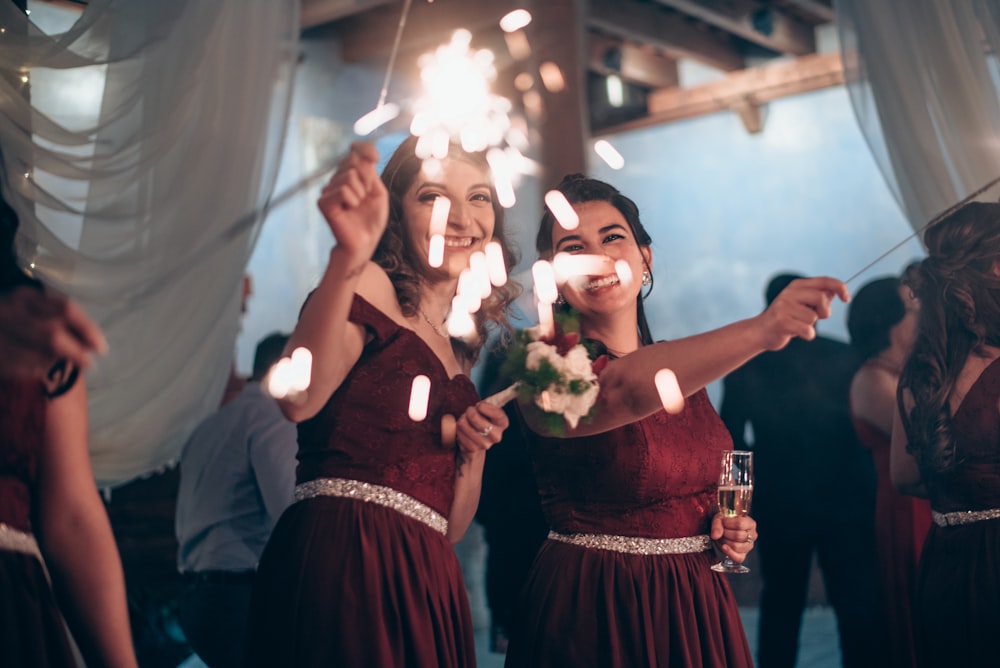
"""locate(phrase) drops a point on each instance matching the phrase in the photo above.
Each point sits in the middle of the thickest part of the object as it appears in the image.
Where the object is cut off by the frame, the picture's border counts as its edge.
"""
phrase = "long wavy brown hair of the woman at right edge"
(959, 293)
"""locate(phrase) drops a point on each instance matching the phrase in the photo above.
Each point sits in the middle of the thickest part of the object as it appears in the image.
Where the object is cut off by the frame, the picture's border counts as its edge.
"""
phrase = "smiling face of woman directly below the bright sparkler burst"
(471, 218)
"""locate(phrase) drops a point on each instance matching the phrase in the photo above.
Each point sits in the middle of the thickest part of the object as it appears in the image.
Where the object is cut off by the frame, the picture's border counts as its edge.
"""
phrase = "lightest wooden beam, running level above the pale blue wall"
(741, 91)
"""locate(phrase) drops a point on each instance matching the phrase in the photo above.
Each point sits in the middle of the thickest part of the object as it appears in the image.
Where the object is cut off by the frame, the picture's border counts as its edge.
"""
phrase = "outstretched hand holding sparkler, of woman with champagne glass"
(797, 309)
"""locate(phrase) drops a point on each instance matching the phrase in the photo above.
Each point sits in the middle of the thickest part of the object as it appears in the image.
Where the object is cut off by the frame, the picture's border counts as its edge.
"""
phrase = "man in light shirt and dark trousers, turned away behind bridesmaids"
(237, 475)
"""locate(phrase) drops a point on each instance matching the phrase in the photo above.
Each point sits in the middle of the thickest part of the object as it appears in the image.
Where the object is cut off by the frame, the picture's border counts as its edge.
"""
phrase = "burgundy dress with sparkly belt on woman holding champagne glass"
(590, 606)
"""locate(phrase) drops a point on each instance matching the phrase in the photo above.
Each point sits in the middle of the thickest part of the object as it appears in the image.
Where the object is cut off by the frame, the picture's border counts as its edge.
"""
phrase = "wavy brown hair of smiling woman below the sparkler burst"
(400, 261)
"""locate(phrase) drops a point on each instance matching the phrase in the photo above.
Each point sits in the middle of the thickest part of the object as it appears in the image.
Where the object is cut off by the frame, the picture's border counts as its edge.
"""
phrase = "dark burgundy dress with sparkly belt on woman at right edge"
(957, 601)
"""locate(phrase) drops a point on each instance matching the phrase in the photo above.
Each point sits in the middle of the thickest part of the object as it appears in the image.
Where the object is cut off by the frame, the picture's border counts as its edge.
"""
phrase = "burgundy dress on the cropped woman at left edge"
(32, 632)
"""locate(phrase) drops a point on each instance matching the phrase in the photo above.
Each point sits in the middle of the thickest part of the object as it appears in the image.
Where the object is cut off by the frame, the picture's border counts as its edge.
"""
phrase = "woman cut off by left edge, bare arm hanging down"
(50, 507)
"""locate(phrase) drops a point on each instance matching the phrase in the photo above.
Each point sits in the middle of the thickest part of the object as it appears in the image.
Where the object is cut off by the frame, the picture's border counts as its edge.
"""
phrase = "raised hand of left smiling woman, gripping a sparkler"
(355, 202)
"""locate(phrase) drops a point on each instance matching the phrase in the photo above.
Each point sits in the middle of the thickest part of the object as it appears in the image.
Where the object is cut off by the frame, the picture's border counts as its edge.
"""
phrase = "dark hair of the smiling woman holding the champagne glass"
(579, 189)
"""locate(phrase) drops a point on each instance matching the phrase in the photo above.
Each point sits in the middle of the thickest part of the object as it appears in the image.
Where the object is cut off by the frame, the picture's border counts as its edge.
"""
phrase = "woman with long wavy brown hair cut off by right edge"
(946, 437)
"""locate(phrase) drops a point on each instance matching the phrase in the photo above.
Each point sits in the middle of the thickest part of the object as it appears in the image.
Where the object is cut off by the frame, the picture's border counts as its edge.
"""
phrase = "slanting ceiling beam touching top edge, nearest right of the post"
(667, 31)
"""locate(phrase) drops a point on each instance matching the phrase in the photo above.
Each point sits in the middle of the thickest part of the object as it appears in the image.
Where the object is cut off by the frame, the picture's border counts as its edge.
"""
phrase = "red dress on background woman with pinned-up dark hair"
(901, 525)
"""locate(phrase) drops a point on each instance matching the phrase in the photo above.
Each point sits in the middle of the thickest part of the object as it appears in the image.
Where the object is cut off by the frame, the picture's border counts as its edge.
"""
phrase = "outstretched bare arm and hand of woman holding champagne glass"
(628, 389)
